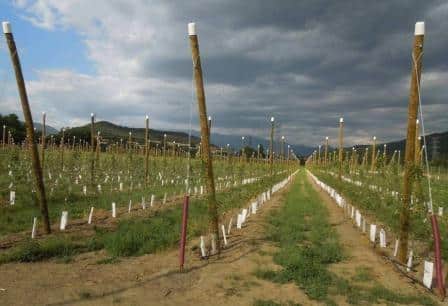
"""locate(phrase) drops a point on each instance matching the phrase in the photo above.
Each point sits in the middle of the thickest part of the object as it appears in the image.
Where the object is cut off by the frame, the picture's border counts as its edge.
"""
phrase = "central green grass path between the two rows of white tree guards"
(308, 245)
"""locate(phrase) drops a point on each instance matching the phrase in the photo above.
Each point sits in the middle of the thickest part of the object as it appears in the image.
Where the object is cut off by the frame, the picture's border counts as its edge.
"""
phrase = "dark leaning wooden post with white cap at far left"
(37, 170)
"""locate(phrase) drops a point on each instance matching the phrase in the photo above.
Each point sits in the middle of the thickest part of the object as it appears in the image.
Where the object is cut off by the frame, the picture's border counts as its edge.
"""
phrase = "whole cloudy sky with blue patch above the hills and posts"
(305, 62)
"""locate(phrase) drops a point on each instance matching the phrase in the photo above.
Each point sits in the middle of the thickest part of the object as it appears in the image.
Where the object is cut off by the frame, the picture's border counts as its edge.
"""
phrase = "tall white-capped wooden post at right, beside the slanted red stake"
(417, 54)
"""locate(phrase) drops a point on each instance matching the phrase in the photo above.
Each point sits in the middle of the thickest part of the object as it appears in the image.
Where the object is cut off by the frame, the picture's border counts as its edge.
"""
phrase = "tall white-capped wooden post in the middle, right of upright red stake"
(205, 154)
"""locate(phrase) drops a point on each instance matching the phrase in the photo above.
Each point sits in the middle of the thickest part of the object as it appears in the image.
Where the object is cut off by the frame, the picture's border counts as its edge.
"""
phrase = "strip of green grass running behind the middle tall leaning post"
(137, 236)
